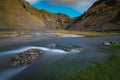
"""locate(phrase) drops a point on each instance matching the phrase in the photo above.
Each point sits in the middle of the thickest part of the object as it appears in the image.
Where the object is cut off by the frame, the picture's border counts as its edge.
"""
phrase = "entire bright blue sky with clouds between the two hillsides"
(72, 8)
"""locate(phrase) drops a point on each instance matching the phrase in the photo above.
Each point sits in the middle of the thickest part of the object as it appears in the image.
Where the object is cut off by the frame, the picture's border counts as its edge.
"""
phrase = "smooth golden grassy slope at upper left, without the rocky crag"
(14, 15)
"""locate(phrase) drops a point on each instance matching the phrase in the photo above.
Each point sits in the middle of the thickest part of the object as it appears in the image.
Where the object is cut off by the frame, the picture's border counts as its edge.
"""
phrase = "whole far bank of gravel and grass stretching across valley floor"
(34, 36)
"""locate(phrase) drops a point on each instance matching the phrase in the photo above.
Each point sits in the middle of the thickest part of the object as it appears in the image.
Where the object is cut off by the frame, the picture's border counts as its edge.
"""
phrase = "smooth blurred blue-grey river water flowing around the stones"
(54, 62)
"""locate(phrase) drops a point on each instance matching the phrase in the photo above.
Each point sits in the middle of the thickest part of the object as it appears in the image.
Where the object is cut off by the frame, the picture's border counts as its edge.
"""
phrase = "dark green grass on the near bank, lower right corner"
(109, 70)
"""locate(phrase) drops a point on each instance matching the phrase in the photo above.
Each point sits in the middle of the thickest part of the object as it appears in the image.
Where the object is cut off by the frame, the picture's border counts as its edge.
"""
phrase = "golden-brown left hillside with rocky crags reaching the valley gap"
(19, 15)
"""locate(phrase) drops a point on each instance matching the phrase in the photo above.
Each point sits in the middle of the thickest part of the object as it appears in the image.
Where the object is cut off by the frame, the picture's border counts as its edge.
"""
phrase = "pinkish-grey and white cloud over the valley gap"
(78, 5)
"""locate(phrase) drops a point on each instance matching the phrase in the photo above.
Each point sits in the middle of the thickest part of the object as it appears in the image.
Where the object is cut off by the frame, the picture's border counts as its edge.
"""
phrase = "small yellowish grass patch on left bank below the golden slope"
(7, 34)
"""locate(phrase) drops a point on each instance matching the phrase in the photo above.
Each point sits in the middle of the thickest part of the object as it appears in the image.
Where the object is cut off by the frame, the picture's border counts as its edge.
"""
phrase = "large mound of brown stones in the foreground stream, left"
(26, 57)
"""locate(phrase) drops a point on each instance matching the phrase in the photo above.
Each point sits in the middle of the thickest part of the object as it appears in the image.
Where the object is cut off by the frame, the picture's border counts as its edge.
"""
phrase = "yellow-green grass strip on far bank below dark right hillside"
(89, 34)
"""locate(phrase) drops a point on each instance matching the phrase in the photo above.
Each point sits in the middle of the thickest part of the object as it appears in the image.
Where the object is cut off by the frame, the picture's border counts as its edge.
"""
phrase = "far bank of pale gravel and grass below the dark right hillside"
(66, 33)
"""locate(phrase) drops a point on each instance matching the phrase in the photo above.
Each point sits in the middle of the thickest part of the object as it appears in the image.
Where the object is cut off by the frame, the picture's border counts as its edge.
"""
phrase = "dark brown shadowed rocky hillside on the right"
(104, 15)
